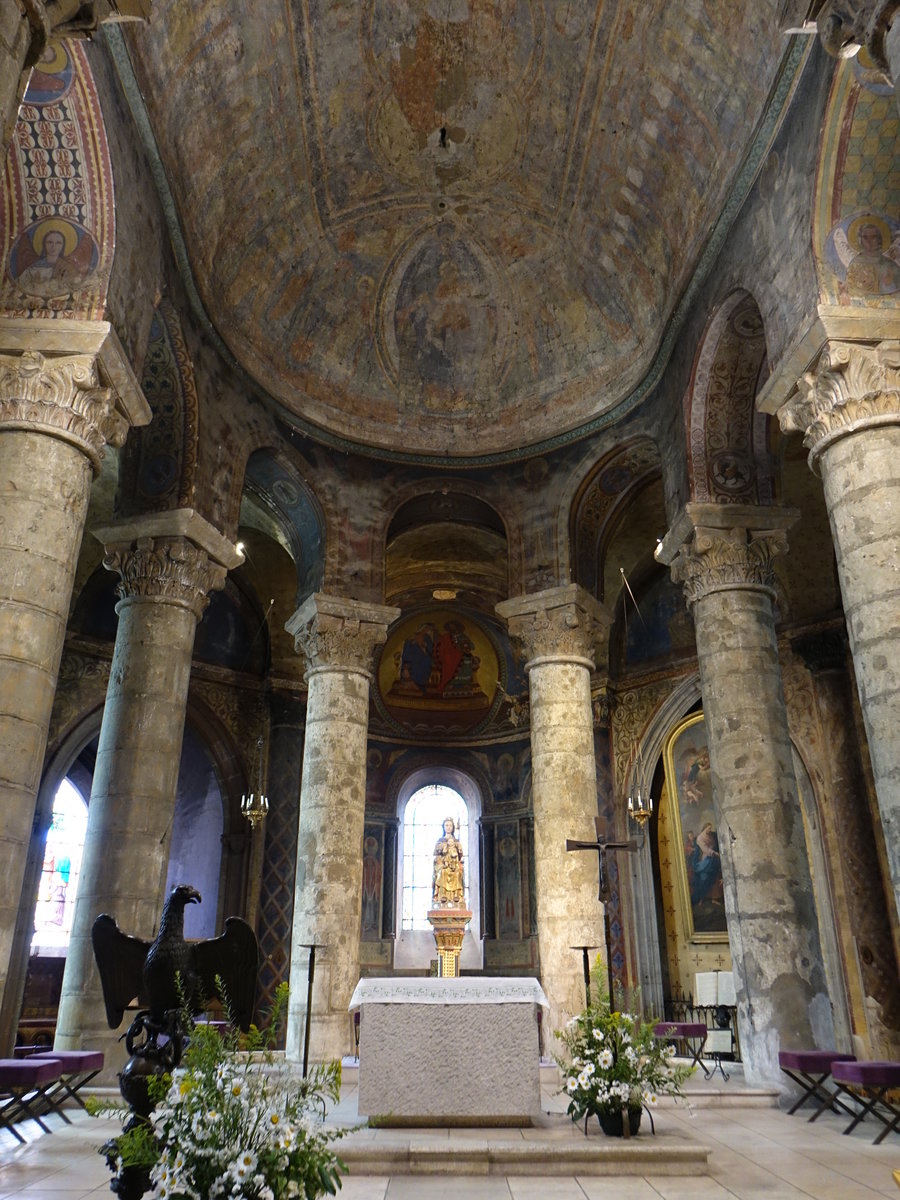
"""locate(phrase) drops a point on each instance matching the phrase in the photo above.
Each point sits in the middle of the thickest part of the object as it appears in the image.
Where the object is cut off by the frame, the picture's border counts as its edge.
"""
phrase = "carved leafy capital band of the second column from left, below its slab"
(167, 569)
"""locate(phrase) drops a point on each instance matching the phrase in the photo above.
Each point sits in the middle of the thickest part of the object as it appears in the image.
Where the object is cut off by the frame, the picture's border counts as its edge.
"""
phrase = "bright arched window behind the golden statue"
(423, 826)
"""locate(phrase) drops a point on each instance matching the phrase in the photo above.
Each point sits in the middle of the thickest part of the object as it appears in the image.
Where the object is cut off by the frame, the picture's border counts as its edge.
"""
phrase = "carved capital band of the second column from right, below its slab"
(728, 560)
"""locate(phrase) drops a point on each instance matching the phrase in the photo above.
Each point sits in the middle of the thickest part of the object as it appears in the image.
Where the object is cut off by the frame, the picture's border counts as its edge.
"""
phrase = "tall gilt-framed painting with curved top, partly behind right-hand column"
(698, 865)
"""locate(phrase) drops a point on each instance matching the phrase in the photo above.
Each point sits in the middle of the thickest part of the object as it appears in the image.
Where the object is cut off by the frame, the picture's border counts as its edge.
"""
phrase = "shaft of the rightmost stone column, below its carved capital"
(861, 475)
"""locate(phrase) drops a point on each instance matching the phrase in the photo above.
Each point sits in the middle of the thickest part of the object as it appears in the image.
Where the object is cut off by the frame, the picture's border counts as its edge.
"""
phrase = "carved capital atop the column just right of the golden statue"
(561, 625)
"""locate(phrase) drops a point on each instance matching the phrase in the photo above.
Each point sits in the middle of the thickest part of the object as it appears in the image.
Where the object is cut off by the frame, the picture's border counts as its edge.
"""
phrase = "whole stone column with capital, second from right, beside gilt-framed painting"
(724, 556)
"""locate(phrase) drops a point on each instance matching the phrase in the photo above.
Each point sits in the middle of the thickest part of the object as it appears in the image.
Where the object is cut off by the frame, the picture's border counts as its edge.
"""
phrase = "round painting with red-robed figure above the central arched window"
(440, 674)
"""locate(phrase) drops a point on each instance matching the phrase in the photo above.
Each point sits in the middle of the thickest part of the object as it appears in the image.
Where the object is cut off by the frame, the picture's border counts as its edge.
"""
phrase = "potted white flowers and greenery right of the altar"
(614, 1067)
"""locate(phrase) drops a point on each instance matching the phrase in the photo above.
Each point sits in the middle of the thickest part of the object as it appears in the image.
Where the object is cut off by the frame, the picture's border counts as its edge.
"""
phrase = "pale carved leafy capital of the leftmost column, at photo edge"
(63, 398)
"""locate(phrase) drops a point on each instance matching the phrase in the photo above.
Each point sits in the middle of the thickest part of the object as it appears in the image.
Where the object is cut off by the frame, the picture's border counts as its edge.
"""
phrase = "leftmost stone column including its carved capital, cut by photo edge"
(57, 416)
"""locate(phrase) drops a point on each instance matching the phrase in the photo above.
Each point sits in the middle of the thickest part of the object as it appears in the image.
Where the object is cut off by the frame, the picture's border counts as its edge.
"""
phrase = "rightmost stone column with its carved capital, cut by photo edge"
(849, 410)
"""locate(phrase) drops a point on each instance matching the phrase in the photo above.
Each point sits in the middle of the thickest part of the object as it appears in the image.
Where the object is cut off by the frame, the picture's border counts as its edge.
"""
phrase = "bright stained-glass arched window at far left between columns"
(59, 874)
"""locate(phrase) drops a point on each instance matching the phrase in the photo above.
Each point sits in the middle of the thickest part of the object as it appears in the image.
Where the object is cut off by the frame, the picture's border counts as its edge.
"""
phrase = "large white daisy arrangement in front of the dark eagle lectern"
(236, 1125)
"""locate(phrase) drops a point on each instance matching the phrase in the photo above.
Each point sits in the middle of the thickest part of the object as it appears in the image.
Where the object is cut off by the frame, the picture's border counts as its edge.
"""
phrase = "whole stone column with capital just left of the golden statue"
(338, 639)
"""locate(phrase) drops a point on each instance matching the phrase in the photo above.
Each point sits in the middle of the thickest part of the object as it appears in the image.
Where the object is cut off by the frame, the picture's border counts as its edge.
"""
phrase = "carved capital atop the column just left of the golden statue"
(340, 635)
